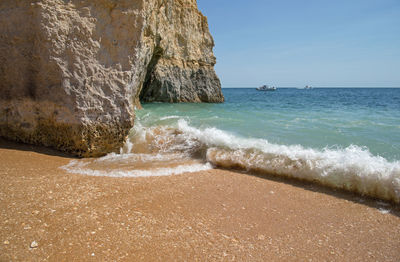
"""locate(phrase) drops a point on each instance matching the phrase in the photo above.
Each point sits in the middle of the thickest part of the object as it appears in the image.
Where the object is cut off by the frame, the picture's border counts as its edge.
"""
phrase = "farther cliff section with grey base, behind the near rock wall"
(182, 64)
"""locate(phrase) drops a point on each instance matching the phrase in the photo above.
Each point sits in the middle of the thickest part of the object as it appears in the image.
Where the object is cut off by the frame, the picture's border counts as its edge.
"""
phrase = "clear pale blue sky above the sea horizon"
(299, 42)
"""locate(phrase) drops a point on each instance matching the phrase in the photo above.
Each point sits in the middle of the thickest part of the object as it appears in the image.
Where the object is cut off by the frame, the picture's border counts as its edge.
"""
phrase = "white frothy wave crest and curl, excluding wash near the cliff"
(353, 168)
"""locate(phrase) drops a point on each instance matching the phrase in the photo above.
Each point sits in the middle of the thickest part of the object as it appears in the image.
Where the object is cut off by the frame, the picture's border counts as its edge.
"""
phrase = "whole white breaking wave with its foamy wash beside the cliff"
(174, 140)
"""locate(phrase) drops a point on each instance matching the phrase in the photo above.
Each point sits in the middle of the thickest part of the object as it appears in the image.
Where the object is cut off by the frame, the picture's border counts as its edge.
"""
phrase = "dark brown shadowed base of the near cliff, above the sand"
(90, 140)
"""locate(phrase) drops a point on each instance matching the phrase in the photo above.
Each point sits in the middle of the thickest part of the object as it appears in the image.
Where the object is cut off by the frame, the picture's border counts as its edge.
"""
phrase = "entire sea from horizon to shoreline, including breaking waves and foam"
(345, 138)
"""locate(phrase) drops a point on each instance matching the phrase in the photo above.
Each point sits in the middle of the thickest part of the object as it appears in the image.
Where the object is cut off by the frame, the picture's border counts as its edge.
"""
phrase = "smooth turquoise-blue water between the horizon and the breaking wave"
(317, 118)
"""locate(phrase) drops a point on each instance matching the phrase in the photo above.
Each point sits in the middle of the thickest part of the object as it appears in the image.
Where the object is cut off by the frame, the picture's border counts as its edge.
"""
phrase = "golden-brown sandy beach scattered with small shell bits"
(206, 216)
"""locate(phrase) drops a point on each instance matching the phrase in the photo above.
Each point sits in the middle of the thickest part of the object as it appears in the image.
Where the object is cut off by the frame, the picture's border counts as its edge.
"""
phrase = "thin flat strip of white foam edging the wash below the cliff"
(79, 167)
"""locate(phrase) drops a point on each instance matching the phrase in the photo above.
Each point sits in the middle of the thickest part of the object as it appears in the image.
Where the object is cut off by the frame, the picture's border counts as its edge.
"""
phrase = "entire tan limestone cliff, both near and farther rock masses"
(72, 71)
